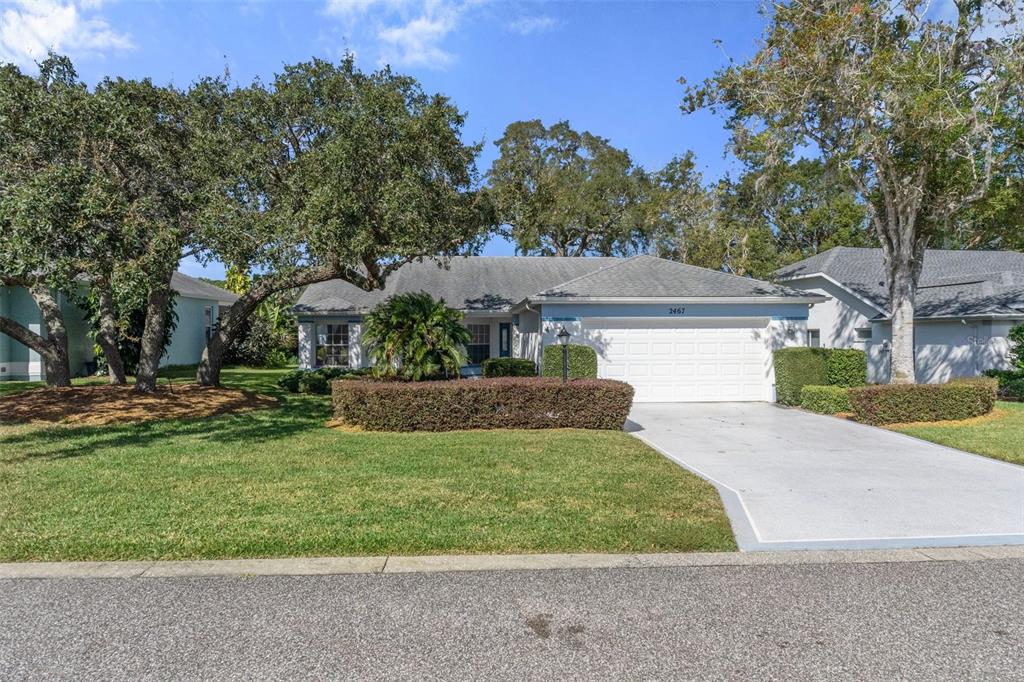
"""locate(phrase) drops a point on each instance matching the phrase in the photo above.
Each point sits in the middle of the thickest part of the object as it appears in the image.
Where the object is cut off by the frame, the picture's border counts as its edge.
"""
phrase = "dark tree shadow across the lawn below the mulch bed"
(293, 416)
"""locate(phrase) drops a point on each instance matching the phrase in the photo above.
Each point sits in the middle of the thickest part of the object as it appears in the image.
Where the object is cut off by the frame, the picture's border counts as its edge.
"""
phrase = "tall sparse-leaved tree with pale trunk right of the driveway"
(909, 106)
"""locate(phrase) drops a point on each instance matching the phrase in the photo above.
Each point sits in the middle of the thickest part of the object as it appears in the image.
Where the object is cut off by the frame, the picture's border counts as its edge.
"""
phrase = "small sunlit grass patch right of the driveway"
(1000, 437)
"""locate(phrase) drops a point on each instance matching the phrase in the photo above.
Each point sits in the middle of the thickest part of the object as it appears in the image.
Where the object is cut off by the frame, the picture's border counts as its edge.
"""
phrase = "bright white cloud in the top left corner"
(30, 28)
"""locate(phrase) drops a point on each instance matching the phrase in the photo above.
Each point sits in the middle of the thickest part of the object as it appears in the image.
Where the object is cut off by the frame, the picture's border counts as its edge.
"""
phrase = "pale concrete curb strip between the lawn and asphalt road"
(456, 564)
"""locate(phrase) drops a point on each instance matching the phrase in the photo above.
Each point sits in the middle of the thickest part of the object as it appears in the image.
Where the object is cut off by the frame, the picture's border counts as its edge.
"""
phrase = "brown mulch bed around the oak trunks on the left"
(97, 406)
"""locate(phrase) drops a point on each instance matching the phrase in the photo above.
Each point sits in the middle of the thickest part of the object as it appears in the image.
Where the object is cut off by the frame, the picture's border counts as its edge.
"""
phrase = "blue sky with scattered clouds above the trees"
(610, 68)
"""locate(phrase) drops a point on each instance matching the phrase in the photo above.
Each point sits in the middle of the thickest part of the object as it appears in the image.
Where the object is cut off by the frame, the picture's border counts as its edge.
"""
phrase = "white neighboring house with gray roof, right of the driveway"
(967, 303)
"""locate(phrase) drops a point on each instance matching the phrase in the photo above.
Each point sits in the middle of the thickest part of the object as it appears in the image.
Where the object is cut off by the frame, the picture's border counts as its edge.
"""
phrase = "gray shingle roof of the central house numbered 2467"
(496, 284)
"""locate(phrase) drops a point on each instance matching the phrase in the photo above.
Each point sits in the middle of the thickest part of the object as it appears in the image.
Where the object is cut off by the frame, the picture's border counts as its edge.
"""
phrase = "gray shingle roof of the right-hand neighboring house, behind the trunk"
(953, 283)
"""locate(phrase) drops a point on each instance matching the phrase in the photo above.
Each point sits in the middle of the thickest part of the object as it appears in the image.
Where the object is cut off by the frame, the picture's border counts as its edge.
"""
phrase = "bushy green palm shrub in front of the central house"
(415, 337)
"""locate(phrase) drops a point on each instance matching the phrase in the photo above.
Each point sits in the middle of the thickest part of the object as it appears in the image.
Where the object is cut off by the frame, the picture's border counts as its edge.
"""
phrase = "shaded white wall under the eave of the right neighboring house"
(945, 349)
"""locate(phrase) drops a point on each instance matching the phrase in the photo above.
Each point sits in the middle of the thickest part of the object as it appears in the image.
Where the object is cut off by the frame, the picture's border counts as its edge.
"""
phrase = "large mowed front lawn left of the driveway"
(278, 483)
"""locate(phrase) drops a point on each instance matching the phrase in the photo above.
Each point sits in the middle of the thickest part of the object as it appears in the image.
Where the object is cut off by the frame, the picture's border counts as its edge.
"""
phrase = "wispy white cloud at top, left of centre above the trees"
(406, 33)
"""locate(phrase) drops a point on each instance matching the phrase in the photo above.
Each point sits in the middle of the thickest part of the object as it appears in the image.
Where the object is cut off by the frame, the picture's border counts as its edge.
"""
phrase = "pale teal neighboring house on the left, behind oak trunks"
(198, 306)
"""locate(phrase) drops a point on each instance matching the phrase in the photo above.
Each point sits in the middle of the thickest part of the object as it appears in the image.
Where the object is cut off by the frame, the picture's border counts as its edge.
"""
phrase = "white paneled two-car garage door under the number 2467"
(685, 361)
